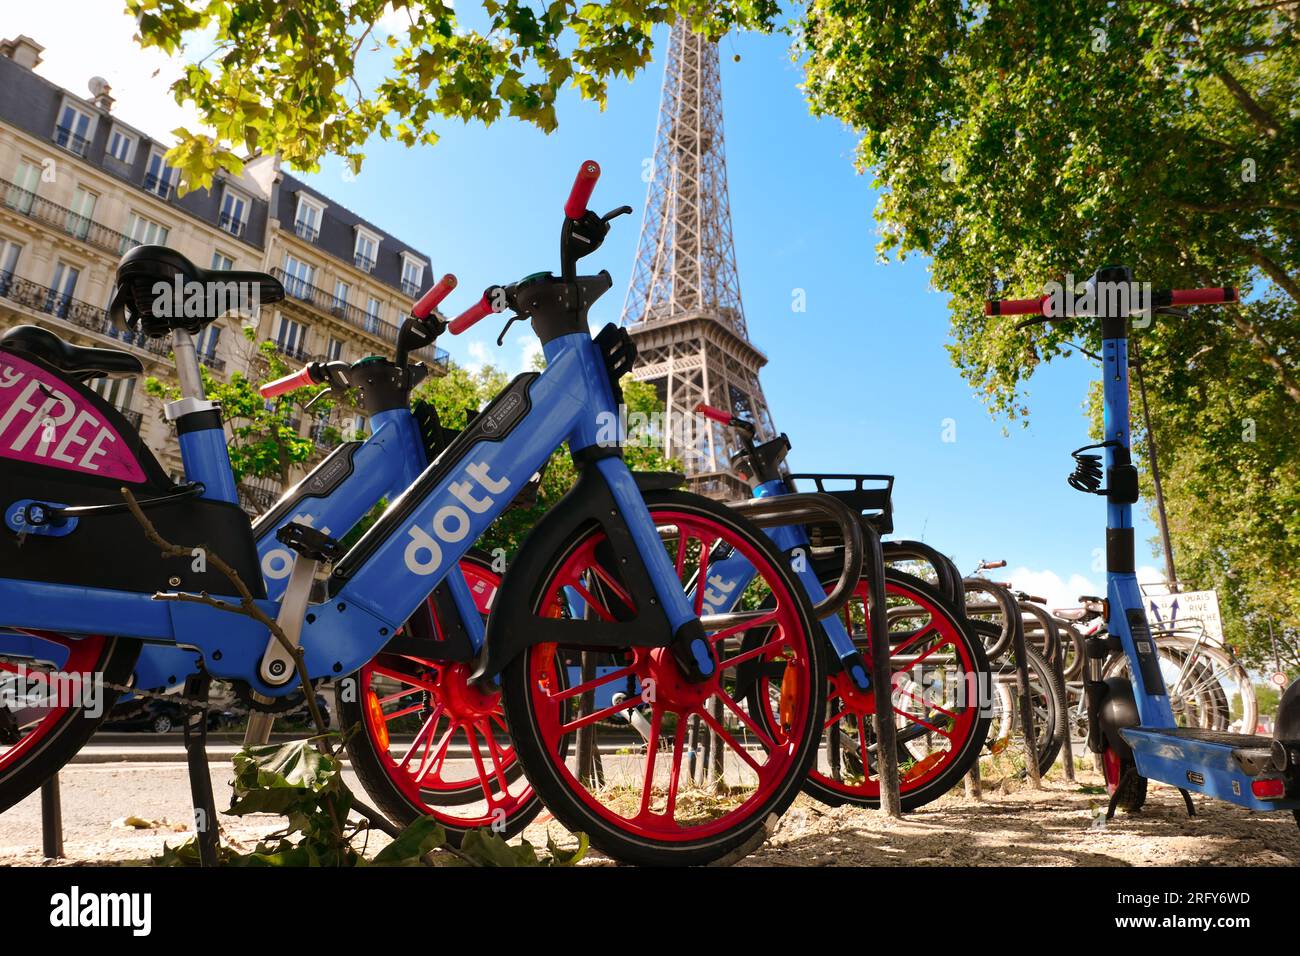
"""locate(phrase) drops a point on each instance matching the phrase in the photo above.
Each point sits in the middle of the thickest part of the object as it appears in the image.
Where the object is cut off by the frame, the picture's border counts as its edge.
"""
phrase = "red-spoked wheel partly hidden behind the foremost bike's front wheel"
(432, 743)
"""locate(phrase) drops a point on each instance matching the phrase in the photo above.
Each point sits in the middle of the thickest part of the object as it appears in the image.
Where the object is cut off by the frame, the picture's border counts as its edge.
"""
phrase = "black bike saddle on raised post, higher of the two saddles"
(159, 291)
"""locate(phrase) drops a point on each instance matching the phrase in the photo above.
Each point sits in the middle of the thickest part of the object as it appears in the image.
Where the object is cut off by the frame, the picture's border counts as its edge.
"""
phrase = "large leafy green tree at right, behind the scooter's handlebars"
(1021, 142)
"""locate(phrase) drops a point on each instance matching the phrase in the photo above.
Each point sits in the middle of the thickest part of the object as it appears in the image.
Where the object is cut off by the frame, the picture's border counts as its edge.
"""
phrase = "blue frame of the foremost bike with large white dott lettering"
(397, 565)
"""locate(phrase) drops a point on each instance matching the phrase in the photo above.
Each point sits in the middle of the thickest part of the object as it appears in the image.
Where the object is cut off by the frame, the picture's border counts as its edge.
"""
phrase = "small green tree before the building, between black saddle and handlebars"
(263, 435)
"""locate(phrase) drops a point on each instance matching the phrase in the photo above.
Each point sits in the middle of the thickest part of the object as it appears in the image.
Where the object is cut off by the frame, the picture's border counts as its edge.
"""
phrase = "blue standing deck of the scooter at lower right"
(1202, 762)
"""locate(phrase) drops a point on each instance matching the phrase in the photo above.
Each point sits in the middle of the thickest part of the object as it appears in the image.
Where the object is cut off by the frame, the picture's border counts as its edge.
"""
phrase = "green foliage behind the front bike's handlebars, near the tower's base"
(462, 391)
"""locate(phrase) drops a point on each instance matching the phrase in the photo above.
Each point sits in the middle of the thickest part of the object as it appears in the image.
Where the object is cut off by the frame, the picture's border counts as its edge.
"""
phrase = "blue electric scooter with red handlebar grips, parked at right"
(1130, 720)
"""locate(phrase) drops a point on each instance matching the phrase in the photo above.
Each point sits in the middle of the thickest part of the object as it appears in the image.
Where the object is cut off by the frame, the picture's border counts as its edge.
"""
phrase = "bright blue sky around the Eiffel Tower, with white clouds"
(861, 382)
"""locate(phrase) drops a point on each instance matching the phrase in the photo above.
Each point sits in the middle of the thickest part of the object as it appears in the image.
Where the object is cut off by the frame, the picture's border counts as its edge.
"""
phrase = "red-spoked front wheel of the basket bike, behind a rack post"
(941, 674)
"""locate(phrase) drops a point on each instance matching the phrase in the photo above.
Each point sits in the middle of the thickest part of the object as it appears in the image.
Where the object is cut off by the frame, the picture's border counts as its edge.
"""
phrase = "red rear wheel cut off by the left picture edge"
(53, 698)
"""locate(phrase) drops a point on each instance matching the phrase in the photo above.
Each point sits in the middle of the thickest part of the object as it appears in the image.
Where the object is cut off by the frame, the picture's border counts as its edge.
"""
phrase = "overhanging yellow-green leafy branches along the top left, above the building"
(288, 79)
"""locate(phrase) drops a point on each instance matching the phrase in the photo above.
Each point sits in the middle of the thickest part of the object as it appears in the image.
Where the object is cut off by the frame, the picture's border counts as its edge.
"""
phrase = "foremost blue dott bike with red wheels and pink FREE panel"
(76, 564)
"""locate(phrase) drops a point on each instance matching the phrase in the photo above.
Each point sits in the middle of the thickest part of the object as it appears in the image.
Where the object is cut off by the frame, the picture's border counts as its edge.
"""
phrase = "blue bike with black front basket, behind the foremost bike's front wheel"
(939, 668)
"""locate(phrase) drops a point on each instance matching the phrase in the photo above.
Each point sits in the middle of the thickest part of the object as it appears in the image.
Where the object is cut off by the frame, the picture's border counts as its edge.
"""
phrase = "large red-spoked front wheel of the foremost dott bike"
(616, 739)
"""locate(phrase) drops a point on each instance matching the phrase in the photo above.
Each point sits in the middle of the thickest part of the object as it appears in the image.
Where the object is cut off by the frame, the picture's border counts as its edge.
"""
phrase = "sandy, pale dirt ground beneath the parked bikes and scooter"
(1059, 827)
